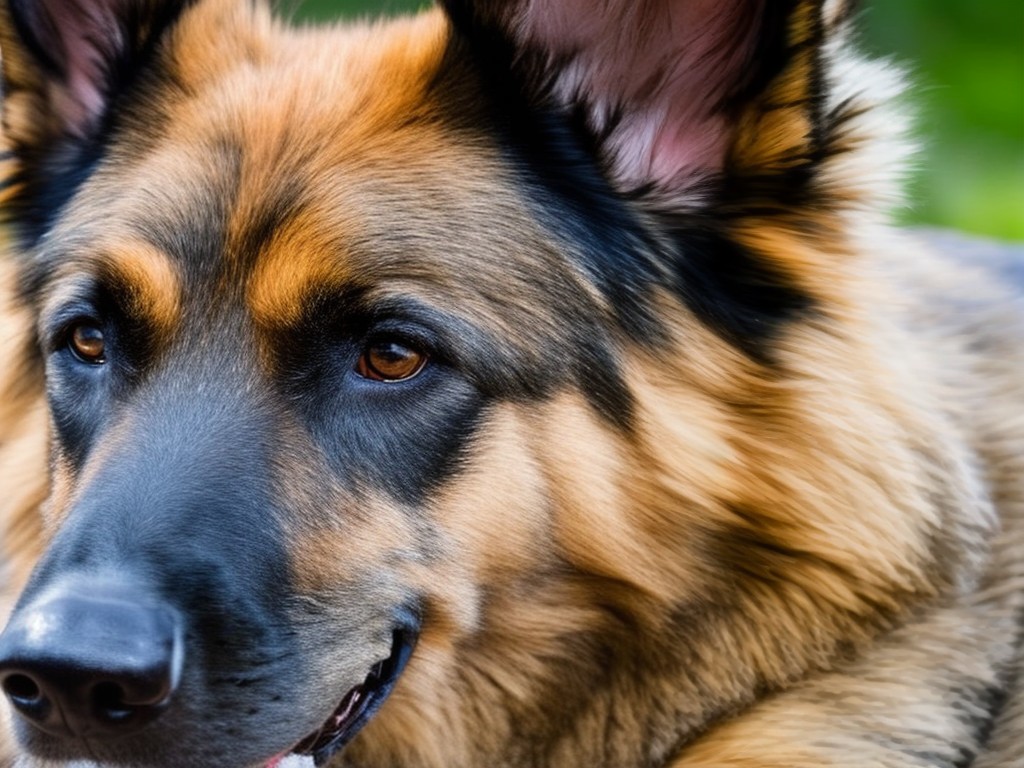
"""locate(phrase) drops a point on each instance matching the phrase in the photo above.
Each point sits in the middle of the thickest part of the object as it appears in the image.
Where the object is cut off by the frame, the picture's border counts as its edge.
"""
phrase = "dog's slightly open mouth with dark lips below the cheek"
(358, 706)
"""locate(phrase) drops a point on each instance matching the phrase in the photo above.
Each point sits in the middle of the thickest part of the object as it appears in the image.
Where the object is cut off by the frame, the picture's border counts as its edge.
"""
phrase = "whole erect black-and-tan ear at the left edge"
(66, 64)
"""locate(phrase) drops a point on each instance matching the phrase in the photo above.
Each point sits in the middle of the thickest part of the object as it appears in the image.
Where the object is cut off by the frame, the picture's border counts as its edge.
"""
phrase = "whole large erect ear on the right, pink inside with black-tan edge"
(672, 94)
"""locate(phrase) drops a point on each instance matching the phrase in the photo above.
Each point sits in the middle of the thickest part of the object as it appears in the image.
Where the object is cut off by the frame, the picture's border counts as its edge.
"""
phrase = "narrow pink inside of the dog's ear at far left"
(89, 37)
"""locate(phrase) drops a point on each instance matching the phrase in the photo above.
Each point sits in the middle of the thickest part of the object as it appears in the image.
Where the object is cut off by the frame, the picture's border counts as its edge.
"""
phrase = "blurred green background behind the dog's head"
(967, 61)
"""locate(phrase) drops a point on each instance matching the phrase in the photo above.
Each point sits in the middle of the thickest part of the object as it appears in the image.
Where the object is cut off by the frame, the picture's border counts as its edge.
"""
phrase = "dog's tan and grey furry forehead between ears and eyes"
(282, 180)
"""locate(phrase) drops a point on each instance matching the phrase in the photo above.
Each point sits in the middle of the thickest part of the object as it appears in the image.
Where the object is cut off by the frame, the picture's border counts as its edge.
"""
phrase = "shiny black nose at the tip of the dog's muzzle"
(89, 663)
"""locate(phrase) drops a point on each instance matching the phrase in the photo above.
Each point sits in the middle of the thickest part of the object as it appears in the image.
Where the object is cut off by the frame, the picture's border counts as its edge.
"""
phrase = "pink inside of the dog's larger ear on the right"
(660, 68)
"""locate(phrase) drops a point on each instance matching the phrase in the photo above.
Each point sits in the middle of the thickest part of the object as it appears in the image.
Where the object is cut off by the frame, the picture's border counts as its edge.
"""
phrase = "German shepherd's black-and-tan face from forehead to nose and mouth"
(285, 358)
